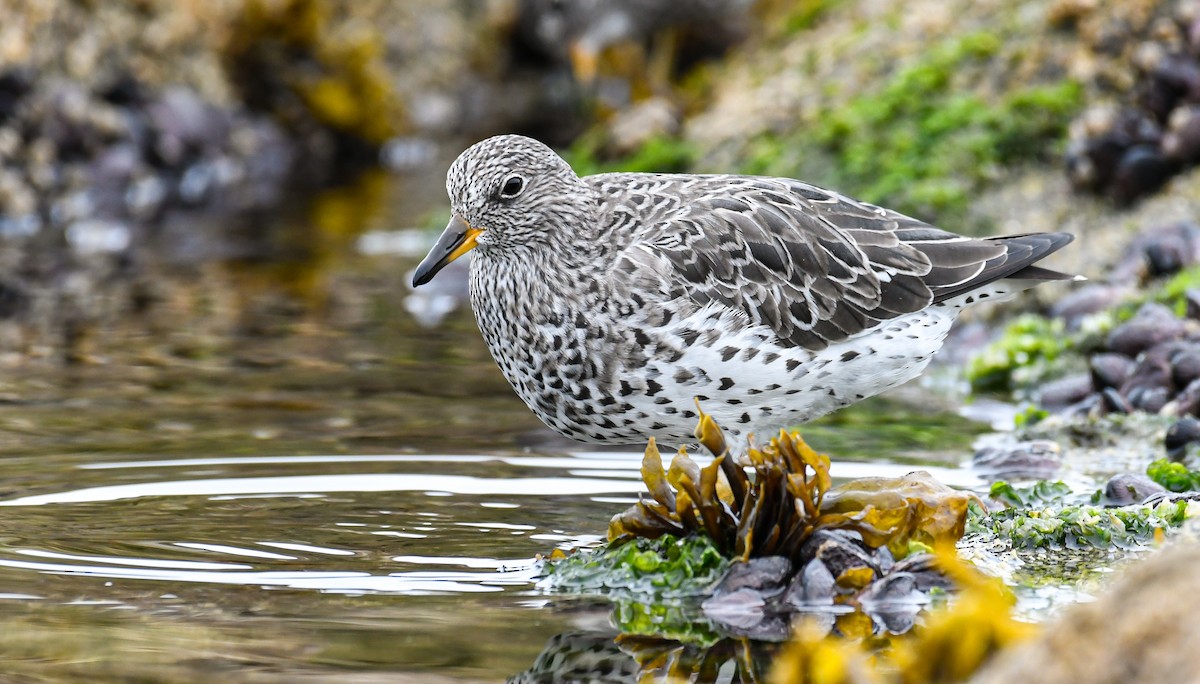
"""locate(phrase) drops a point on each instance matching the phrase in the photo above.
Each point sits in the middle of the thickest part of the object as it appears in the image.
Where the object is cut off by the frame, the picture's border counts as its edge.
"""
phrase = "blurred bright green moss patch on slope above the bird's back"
(921, 143)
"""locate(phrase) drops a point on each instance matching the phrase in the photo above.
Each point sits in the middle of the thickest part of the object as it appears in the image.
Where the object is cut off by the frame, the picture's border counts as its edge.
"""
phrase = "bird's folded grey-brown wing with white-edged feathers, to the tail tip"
(813, 266)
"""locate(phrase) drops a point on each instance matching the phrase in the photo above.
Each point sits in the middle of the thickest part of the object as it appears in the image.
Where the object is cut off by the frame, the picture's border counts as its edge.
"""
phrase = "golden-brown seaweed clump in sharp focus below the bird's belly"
(773, 501)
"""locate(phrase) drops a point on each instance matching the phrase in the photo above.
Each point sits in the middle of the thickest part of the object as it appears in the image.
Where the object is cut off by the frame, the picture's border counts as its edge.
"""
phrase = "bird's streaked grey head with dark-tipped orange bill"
(506, 193)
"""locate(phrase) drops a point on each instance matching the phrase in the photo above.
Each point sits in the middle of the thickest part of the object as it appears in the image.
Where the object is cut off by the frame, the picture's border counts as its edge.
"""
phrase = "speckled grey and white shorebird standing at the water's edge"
(619, 305)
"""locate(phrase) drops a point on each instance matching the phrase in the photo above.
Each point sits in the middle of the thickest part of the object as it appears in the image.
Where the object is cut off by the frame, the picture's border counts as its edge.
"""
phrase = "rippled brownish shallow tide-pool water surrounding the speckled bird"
(281, 475)
